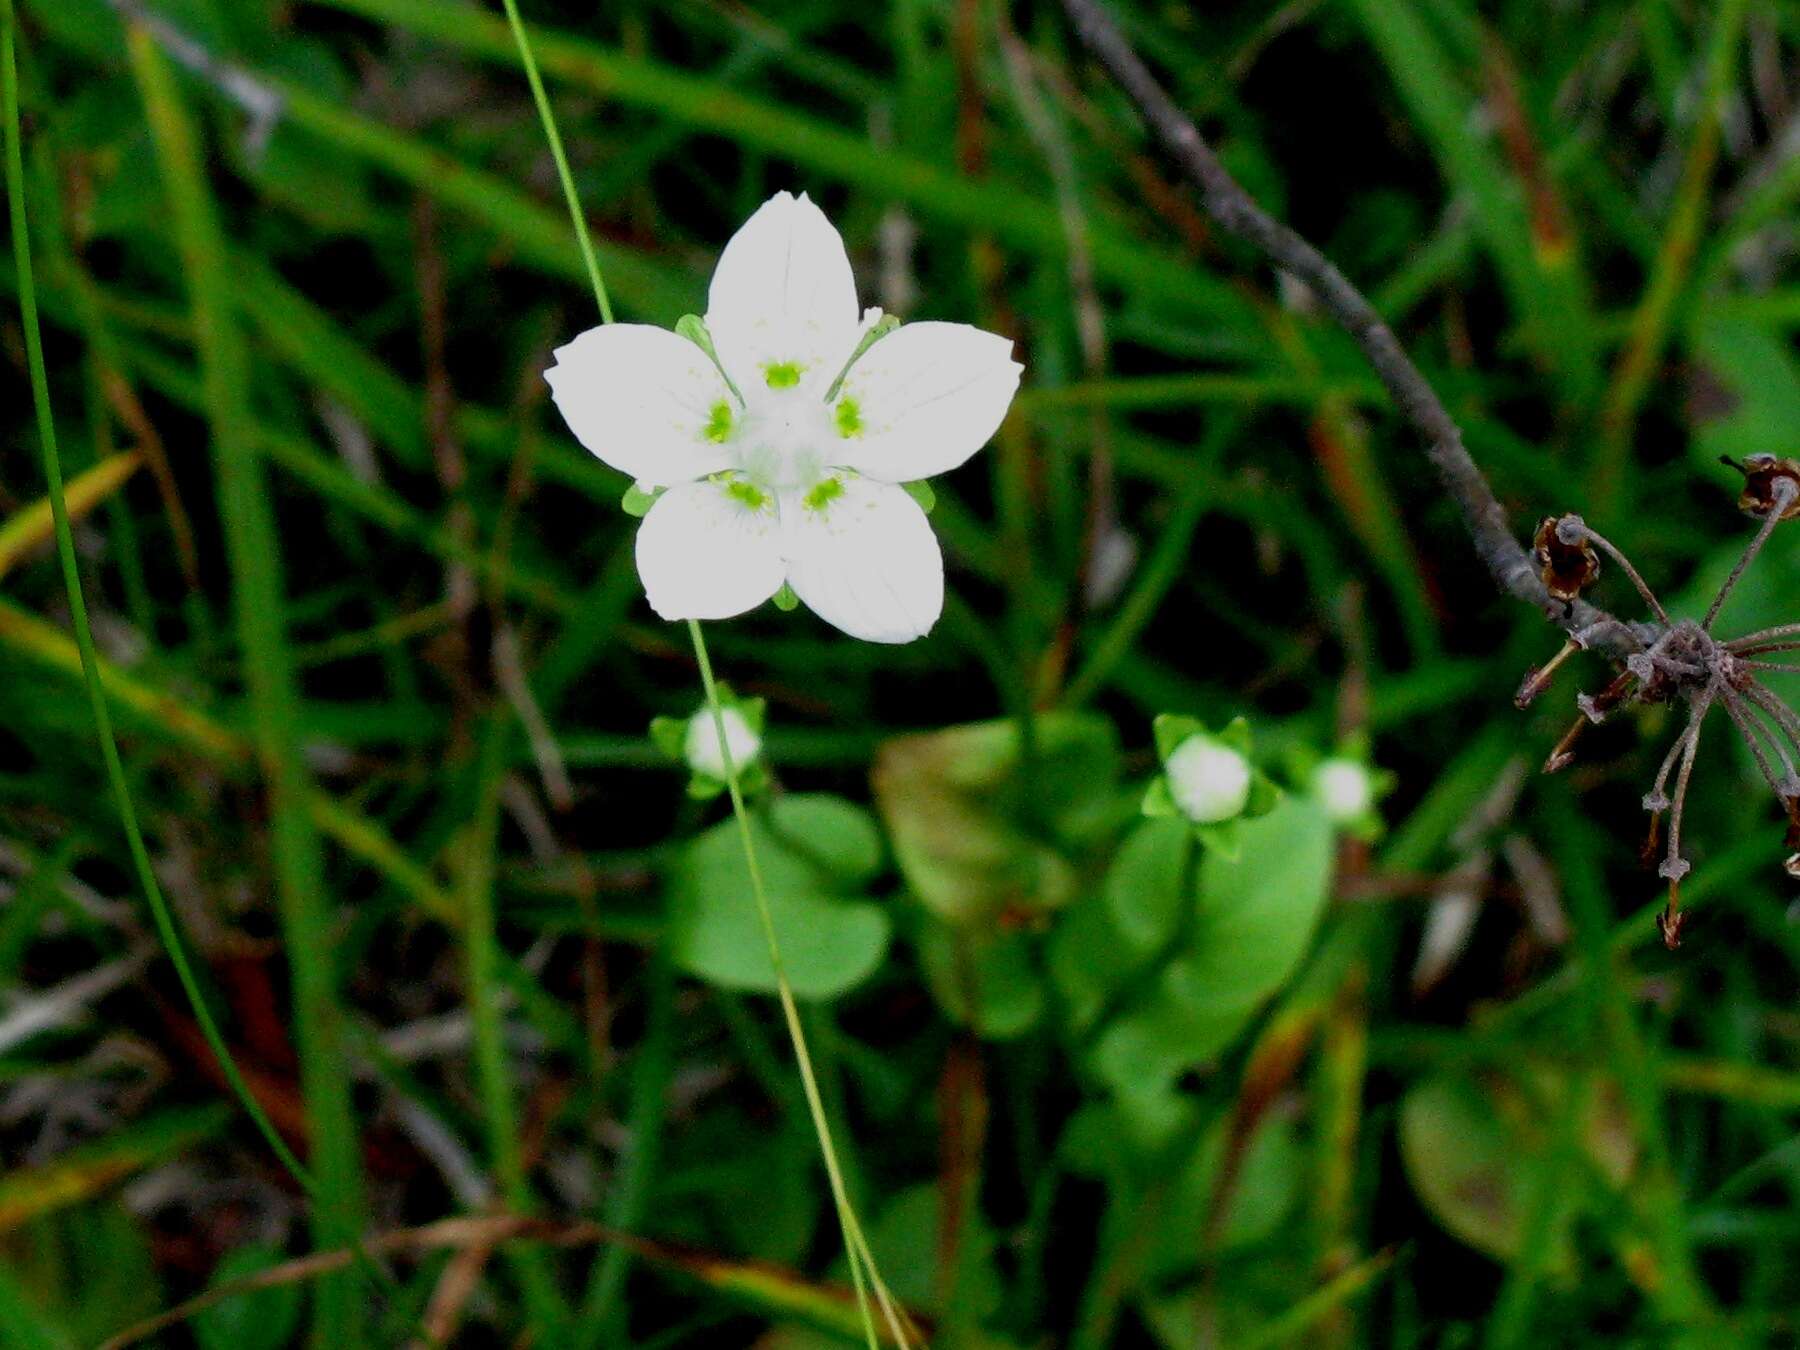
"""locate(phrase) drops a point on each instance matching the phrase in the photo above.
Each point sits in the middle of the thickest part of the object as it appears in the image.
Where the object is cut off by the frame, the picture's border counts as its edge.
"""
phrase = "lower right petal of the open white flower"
(867, 561)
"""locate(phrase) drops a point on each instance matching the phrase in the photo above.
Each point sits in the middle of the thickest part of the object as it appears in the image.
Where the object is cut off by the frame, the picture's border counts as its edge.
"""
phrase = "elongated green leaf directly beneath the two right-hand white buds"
(1254, 922)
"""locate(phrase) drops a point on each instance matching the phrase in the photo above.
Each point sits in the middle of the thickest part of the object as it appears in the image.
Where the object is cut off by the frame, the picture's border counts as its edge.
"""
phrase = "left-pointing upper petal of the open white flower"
(643, 400)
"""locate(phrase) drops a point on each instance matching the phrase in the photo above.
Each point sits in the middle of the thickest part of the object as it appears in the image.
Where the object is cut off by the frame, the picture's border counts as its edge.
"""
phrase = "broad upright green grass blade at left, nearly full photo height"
(255, 557)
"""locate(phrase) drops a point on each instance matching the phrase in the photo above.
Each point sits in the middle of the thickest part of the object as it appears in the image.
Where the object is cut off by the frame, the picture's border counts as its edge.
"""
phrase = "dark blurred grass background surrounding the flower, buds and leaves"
(1488, 1108)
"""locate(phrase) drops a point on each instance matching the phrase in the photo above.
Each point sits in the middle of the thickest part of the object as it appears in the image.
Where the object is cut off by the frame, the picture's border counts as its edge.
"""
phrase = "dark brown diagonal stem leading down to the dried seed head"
(1227, 202)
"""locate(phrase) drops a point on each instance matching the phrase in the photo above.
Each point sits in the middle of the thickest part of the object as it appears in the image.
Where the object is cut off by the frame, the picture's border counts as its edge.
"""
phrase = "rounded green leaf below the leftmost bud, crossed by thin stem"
(814, 854)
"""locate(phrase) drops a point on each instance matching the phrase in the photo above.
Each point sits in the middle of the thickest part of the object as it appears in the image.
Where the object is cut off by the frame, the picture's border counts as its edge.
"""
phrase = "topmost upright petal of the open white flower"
(784, 294)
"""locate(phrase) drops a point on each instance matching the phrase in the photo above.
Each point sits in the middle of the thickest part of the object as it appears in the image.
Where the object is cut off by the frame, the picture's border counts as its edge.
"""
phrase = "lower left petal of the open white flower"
(705, 553)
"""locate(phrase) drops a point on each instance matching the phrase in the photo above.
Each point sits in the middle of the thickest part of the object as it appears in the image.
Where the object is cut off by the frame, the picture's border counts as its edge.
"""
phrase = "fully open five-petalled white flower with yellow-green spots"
(780, 463)
